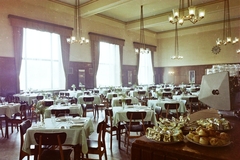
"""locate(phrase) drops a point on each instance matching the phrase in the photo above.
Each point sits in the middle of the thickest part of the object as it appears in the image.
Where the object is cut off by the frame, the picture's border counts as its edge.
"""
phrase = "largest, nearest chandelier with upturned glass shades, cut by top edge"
(178, 14)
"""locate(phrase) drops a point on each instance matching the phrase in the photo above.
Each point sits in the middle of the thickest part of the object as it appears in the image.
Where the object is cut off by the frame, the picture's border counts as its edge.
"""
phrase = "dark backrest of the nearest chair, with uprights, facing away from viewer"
(50, 139)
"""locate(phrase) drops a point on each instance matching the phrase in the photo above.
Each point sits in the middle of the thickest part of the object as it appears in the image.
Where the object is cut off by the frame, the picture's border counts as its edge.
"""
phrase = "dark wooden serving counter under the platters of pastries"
(144, 148)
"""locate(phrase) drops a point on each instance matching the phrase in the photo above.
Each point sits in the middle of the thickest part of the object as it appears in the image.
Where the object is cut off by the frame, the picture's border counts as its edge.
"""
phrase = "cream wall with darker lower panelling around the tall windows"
(195, 44)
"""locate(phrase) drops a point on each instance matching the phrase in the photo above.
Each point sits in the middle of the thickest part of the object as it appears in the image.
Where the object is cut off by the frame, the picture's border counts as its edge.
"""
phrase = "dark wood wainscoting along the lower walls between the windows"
(181, 75)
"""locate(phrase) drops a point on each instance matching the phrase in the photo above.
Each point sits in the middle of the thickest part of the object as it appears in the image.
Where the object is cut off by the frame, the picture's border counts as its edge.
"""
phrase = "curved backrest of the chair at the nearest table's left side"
(23, 129)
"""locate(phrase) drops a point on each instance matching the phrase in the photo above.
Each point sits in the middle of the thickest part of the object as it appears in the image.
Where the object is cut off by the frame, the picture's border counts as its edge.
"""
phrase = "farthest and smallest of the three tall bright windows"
(145, 72)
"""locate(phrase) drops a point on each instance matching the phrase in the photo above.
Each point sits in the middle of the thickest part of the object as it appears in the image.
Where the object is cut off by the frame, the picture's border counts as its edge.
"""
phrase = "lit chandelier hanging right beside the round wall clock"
(226, 27)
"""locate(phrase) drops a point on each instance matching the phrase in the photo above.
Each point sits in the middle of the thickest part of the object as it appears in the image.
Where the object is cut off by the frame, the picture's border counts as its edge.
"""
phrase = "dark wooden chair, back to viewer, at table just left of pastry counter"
(134, 125)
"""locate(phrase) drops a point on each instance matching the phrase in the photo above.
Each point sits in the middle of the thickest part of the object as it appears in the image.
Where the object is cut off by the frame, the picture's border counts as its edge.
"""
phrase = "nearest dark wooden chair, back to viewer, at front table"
(55, 139)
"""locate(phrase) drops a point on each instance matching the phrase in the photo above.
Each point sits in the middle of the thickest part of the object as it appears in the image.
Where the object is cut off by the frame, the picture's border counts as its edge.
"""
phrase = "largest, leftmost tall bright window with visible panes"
(42, 66)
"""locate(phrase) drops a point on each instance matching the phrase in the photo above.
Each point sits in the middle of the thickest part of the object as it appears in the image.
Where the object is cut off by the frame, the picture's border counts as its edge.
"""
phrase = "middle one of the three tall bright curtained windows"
(109, 70)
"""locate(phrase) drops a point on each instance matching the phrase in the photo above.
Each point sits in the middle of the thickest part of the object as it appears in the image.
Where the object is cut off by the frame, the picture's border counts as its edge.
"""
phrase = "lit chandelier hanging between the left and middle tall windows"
(78, 30)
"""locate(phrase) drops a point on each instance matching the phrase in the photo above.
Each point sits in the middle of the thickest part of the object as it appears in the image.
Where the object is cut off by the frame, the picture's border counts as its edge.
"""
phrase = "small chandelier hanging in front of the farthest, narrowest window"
(143, 48)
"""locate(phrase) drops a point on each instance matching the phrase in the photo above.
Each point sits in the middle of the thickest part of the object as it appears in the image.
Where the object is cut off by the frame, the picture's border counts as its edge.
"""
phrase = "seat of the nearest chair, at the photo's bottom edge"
(55, 154)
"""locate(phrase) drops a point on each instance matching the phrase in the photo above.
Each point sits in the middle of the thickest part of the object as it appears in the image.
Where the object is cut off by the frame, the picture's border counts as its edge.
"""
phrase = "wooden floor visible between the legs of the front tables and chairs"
(9, 148)
